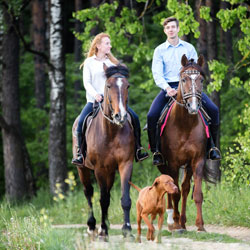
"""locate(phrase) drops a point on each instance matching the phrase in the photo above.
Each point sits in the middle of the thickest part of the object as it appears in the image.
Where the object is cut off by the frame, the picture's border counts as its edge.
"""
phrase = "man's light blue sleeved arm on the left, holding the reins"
(158, 70)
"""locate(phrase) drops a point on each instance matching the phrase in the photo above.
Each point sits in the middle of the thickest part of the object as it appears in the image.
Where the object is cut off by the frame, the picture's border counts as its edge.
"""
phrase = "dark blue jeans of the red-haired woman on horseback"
(89, 108)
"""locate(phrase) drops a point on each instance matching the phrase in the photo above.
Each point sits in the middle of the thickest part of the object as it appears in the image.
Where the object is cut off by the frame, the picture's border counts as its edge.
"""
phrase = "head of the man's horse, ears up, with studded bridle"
(191, 83)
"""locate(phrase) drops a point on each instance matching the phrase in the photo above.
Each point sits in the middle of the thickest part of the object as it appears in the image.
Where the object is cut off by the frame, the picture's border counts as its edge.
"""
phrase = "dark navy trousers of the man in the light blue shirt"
(161, 100)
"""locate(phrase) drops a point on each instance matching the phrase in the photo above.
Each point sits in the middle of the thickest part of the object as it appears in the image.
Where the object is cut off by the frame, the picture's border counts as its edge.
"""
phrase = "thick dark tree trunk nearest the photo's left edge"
(18, 175)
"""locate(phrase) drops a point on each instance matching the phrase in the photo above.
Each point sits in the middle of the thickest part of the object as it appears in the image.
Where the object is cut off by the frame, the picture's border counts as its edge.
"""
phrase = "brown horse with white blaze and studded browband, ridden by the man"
(183, 143)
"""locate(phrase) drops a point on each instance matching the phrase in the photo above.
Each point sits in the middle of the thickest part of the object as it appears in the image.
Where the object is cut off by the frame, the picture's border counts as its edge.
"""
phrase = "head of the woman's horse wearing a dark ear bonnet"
(116, 93)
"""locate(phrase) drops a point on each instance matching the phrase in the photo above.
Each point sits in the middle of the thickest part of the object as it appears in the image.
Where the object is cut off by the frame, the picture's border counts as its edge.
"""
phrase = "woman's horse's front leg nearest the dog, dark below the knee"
(125, 171)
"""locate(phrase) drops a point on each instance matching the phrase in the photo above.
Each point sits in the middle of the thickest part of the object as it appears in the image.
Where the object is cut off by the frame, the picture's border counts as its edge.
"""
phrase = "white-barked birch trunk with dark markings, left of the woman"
(57, 131)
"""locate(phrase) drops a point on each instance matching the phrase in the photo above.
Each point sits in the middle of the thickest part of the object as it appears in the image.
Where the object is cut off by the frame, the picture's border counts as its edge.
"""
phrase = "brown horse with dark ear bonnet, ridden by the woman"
(110, 147)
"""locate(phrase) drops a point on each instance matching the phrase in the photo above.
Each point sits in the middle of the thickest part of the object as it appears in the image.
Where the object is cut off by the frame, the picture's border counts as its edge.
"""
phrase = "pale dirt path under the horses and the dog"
(117, 242)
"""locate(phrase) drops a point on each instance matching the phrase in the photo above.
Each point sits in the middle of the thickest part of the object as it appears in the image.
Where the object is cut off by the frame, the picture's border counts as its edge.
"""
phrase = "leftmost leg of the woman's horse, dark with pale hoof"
(85, 178)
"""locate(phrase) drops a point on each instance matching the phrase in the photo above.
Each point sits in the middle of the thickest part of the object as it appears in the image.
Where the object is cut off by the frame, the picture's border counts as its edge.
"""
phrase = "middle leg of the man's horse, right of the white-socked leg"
(185, 188)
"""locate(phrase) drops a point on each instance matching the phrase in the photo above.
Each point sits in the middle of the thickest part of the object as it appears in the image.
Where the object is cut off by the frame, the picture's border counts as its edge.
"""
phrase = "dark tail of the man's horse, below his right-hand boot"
(212, 172)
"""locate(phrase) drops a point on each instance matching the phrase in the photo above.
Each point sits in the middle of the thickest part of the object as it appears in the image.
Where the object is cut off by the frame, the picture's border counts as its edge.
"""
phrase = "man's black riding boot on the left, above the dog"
(153, 138)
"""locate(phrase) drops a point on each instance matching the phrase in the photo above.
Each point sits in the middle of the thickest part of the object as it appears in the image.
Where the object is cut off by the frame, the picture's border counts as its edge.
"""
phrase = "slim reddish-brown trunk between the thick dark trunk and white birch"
(38, 16)
